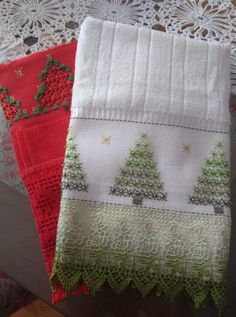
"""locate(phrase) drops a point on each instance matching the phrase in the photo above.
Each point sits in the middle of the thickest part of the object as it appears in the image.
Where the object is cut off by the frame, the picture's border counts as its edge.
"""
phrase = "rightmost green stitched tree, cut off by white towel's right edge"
(213, 186)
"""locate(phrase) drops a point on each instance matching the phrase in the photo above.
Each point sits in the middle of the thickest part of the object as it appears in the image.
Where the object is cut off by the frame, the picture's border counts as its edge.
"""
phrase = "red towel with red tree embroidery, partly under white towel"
(39, 138)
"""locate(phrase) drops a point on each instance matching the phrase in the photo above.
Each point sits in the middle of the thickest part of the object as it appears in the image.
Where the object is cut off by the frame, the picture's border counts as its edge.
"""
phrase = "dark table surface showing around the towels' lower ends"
(22, 260)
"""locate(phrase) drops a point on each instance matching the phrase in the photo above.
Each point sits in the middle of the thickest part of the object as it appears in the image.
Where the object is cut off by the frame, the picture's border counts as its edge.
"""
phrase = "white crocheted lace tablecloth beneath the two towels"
(28, 26)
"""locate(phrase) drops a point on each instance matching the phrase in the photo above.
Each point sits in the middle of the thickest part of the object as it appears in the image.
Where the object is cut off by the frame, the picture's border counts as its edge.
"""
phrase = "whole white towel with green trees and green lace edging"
(146, 175)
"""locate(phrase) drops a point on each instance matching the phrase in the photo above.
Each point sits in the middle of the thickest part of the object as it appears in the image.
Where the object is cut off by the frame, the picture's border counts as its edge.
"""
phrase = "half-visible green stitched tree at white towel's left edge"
(73, 176)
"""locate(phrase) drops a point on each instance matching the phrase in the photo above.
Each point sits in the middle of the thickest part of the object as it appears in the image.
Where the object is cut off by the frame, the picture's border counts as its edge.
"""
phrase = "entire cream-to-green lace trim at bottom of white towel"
(145, 248)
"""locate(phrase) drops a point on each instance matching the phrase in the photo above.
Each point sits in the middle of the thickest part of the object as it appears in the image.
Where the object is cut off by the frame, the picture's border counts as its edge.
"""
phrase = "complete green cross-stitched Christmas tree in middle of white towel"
(138, 177)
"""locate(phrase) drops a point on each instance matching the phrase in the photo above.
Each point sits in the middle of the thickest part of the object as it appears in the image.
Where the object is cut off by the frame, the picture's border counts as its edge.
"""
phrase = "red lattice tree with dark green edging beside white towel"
(55, 91)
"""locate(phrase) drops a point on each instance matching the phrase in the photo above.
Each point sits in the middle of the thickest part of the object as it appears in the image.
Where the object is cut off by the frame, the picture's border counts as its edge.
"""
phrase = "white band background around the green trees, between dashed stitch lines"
(178, 170)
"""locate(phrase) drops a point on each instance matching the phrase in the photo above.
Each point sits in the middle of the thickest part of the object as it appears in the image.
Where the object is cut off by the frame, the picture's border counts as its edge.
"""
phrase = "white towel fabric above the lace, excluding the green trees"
(131, 76)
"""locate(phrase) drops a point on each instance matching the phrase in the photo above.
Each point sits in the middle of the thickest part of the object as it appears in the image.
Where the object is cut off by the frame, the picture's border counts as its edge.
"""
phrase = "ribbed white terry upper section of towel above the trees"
(144, 75)
